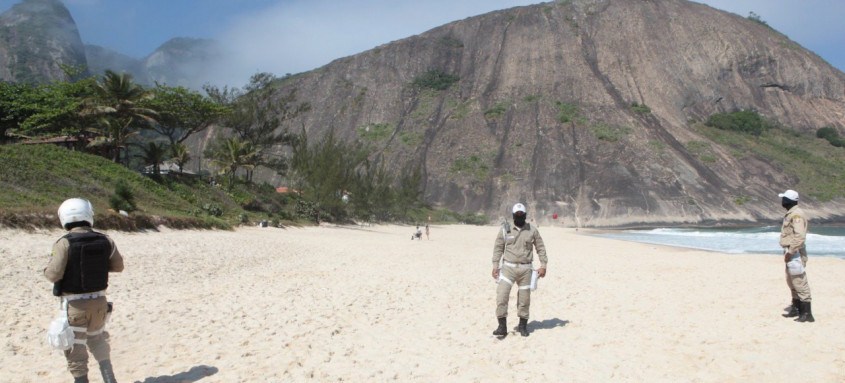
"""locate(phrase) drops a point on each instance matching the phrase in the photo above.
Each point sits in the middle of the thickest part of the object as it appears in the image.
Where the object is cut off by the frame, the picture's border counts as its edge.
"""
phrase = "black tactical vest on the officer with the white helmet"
(87, 267)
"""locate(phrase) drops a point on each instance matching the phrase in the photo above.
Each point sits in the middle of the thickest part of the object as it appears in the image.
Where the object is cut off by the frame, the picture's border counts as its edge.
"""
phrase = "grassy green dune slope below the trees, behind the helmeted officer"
(35, 179)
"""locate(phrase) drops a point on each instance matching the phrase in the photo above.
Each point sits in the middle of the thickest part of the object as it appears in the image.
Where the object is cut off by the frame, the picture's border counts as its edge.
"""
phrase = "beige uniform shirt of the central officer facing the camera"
(518, 246)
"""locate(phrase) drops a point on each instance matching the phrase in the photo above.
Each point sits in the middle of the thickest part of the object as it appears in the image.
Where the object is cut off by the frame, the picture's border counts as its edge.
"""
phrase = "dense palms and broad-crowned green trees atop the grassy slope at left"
(110, 115)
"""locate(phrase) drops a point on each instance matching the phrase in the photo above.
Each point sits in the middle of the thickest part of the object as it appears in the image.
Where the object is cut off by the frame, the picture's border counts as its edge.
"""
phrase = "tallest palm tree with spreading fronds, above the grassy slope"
(114, 104)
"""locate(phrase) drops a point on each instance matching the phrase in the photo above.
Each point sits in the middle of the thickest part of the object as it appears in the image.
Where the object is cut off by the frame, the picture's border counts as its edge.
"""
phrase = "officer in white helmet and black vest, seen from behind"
(79, 269)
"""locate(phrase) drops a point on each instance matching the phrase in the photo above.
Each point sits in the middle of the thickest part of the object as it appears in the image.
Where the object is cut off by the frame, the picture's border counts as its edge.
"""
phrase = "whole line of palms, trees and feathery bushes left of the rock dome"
(114, 117)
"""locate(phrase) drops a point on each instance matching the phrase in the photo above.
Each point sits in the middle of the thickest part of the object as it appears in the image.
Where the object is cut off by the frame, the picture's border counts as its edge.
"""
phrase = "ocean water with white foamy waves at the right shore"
(821, 241)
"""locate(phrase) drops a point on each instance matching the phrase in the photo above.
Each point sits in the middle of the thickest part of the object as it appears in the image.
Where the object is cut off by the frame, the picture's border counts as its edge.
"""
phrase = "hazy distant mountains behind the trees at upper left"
(38, 37)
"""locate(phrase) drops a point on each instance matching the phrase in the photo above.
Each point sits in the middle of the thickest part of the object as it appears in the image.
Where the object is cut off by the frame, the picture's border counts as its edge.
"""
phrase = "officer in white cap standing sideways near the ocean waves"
(793, 234)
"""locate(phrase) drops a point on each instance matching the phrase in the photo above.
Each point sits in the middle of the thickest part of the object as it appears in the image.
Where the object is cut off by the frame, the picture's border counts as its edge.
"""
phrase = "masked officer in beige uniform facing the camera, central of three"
(515, 248)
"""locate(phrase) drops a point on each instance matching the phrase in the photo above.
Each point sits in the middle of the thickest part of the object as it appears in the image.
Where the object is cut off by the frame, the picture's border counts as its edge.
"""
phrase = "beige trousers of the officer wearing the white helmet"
(91, 314)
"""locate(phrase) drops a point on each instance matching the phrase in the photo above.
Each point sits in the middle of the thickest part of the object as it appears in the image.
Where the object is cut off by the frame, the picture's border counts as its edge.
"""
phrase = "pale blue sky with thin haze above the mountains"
(306, 34)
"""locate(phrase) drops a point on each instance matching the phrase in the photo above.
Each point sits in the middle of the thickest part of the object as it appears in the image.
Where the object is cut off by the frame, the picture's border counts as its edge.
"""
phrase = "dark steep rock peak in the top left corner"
(37, 37)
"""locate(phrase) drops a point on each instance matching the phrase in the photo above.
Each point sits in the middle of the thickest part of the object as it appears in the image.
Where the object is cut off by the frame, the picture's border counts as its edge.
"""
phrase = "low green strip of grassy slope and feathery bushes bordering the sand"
(37, 178)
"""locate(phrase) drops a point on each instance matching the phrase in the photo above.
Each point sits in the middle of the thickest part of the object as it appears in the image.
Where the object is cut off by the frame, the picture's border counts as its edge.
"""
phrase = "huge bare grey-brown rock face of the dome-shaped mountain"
(542, 112)
